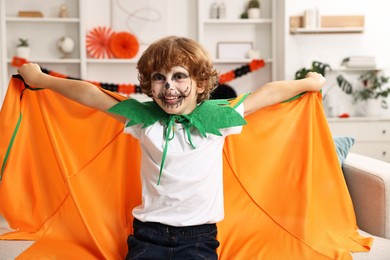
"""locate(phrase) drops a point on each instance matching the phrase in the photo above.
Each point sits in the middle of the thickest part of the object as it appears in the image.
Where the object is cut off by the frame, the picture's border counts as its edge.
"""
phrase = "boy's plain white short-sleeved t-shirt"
(191, 186)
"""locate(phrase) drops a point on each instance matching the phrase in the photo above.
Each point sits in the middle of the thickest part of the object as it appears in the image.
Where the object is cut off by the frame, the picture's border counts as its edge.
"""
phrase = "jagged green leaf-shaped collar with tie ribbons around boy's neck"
(208, 117)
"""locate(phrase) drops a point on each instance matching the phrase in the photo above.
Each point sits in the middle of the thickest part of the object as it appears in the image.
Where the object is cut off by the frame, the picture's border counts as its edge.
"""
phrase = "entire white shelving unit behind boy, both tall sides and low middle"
(43, 34)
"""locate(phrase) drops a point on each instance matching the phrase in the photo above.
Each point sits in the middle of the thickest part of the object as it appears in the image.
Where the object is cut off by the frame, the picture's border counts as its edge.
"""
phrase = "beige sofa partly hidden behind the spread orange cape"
(368, 181)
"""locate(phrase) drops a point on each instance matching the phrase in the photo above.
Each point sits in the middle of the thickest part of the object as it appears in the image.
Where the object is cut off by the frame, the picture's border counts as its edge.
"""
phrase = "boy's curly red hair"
(178, 51)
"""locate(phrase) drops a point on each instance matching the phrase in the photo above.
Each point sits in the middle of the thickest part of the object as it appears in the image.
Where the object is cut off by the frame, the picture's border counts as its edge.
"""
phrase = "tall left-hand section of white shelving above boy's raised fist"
(42, 34)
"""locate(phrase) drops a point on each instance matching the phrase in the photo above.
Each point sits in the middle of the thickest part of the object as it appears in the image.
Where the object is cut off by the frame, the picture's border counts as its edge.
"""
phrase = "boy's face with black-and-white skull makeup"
(175, 91)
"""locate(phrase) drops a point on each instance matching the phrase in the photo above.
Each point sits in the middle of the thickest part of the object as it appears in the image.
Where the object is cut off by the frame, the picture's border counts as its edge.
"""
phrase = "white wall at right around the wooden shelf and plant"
(302, 49)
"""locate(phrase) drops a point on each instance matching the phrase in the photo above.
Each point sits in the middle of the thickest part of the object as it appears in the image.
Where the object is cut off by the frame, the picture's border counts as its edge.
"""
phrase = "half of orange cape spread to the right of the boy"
(286, 197)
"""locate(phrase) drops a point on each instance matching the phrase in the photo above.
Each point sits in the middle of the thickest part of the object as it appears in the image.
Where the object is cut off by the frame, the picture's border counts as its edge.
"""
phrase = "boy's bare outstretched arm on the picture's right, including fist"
(278, 91)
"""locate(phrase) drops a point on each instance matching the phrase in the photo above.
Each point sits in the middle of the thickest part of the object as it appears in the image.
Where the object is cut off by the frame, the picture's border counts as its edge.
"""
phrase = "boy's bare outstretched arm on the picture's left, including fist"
(79, 91)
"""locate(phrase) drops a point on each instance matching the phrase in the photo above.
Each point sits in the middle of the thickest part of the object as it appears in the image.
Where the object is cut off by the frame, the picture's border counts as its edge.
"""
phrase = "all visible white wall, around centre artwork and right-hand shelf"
(293, 51)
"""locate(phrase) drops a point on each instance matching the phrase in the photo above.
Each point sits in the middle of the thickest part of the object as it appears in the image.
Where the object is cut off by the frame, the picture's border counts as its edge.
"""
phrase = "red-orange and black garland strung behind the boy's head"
(129, 89)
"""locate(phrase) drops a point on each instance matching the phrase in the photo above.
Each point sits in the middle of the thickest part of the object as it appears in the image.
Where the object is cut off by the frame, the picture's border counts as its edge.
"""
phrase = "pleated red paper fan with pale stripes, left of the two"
(97, 42)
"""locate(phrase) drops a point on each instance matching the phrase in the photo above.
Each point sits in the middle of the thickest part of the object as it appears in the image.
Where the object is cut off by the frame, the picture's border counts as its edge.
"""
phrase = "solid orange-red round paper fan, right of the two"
(124, 45)
